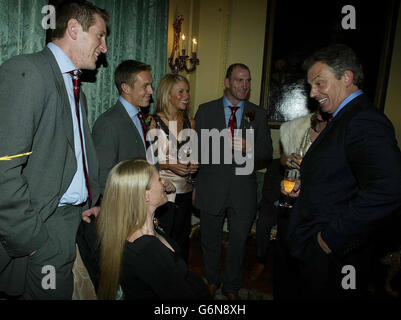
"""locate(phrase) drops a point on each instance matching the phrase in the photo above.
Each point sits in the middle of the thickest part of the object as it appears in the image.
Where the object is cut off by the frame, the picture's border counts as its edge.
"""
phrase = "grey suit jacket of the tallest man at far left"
(35, 117)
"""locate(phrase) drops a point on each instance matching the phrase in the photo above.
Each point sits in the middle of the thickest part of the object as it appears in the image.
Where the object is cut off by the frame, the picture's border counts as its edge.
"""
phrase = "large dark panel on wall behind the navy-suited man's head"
(302, 27)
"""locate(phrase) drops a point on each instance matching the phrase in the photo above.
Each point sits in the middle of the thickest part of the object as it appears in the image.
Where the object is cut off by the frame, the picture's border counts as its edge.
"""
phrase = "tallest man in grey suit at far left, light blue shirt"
(51, 177)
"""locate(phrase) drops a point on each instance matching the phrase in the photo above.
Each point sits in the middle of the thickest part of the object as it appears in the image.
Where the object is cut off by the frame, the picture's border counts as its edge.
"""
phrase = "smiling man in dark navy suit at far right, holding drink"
(350, 181)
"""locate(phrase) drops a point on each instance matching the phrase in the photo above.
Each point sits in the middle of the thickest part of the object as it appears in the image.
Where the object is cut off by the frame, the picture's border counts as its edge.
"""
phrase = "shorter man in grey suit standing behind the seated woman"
(118, 133)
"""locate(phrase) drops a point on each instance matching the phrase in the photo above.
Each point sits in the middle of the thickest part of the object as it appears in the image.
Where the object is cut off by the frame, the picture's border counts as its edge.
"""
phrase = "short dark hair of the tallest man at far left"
(82, 11)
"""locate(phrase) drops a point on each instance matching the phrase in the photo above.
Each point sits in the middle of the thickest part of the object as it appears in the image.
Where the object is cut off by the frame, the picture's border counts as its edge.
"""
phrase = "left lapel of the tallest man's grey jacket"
(64, 108)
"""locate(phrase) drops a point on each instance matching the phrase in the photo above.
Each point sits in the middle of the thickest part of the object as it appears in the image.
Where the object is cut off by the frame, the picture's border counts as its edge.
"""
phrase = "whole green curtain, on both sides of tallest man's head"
(138, 30)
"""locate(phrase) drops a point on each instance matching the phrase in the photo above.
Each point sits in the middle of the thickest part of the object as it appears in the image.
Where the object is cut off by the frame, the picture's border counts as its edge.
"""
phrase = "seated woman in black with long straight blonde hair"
(134, 254)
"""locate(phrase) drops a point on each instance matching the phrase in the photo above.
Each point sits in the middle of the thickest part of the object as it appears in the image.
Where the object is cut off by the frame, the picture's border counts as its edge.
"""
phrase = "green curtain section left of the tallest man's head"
(21, 27)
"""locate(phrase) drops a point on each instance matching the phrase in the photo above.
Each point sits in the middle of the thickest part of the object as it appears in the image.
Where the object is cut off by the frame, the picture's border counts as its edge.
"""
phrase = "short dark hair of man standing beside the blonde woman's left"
(127, 71)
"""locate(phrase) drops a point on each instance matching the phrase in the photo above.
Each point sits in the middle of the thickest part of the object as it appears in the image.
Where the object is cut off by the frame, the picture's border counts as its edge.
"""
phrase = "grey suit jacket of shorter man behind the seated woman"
(116, 139)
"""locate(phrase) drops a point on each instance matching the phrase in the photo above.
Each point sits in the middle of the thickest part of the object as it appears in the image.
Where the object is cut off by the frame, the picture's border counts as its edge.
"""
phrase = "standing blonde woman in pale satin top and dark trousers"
(172, 101)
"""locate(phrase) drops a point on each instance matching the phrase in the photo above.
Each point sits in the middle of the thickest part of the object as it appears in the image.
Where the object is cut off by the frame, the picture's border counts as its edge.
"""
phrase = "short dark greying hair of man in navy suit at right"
(340, 58)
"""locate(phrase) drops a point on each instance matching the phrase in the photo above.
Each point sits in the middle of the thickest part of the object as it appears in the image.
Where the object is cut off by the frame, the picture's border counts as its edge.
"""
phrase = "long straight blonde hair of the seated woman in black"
(122, 212)
